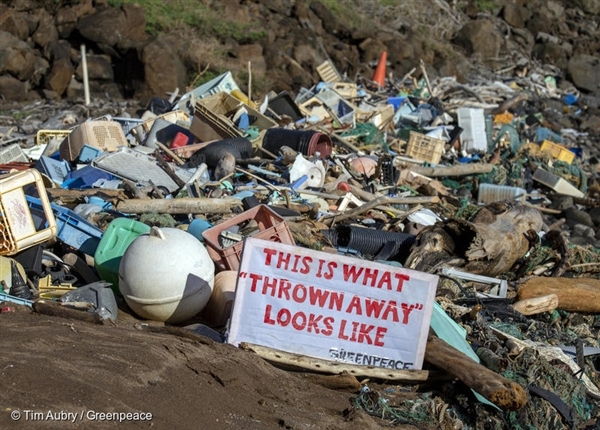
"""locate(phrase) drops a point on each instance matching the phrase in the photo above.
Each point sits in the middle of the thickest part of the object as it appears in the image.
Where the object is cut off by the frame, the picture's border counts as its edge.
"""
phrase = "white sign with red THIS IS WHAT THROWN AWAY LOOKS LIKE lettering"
(331, 306)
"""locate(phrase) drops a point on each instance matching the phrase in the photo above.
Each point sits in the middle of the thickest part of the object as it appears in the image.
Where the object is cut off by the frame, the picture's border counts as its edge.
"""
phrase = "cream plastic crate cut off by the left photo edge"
(18, 230)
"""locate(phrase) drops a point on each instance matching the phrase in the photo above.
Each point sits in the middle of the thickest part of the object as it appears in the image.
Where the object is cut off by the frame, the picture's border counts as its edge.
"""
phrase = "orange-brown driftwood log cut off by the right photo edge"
(574, 294)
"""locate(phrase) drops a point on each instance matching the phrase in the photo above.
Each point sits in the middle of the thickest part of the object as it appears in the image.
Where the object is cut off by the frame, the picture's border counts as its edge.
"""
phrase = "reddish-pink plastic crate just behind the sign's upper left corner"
(270, 227)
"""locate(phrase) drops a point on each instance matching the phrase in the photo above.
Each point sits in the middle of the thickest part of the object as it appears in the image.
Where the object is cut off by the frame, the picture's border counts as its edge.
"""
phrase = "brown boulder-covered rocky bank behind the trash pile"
(40, 47)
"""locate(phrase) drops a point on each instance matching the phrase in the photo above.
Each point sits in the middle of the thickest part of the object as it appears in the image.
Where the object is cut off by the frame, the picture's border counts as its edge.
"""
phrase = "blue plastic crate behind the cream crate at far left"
(73, 230)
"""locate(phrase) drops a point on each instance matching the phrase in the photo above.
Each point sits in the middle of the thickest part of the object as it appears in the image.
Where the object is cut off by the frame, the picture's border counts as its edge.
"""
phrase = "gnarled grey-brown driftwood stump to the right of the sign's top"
(489, 246)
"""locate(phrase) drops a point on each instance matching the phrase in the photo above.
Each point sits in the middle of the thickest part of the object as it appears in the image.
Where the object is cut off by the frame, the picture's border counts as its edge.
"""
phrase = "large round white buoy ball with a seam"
(166, 275)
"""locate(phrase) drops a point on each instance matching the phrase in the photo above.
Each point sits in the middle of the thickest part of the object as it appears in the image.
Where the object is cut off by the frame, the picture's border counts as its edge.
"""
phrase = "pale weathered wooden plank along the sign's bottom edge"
(334, 367)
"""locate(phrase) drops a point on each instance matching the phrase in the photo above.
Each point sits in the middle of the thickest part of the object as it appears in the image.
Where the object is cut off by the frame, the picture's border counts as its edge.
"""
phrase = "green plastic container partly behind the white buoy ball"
(116, 239)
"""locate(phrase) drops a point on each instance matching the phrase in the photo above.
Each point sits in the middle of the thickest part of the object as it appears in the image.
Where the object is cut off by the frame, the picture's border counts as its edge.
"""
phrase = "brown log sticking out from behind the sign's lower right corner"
(504, 393)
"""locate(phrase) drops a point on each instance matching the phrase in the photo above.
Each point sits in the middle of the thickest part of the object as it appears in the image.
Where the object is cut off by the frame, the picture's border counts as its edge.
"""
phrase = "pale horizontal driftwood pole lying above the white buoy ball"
(180, 206)
